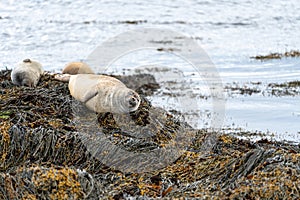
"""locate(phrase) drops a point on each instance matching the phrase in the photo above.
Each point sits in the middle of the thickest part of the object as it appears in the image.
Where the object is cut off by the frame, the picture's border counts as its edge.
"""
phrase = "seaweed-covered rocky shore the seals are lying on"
(47, 142)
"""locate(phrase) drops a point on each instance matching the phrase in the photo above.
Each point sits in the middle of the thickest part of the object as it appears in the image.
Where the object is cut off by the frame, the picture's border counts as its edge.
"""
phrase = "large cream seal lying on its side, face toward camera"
(102, 93)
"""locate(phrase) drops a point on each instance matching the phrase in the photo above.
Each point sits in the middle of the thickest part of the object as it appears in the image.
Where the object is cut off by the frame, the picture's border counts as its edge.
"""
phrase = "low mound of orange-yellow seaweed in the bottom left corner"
(36, 182)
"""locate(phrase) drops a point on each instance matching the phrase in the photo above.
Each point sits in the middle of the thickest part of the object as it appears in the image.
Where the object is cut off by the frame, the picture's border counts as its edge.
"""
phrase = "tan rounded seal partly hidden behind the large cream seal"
(77, 68)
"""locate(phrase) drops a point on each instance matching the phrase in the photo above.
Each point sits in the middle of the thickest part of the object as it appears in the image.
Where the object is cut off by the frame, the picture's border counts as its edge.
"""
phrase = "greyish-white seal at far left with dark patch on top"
(27, 73)
